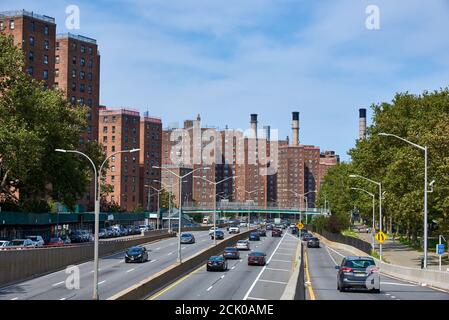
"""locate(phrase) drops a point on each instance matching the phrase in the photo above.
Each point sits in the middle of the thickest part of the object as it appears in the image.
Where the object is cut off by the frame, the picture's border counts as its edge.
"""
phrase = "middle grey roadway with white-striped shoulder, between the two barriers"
(240, 281)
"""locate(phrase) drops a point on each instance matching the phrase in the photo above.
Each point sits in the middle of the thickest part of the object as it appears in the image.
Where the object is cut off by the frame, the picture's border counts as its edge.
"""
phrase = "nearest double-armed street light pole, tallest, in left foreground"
(97, 177)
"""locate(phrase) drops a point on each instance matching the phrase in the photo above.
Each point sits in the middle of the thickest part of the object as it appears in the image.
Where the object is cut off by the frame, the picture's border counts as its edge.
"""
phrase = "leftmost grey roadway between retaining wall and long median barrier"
(114, 274)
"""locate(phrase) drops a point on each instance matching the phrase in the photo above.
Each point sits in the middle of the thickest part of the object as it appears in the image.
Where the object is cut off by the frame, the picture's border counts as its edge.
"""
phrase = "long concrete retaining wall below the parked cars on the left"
(20, 265)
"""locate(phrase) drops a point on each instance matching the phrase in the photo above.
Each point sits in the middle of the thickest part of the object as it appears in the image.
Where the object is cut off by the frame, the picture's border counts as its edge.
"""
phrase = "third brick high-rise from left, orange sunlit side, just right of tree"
(120, 130)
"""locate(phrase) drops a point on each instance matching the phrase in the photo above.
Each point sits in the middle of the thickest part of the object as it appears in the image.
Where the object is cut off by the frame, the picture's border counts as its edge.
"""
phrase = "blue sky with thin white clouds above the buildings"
(227, 59)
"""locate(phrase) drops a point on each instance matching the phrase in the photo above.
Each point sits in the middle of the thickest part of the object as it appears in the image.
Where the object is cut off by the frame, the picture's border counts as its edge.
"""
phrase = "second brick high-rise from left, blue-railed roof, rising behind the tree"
(77, 72)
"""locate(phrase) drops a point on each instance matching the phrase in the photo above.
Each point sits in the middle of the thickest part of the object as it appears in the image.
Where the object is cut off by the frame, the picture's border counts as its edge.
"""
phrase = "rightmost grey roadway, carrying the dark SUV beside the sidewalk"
(323, 278)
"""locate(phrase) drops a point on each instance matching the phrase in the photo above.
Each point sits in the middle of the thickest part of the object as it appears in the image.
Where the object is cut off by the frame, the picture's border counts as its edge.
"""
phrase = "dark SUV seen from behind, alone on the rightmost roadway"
(358, 272)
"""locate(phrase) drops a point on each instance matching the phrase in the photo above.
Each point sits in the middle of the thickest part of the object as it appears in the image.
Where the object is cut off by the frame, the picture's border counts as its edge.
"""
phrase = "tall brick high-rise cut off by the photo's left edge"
(35, 34)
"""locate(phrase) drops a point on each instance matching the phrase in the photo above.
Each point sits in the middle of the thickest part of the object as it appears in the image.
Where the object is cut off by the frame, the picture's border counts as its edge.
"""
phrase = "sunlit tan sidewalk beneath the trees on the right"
(397, 253)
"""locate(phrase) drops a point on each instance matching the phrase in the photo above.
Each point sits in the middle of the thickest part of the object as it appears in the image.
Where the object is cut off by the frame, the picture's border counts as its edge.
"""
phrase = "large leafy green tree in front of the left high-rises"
(33, 122)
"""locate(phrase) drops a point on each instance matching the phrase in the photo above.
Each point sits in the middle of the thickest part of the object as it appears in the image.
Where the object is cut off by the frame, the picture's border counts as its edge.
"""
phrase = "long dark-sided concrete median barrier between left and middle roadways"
(169, 275)
